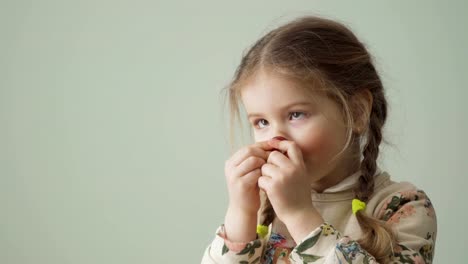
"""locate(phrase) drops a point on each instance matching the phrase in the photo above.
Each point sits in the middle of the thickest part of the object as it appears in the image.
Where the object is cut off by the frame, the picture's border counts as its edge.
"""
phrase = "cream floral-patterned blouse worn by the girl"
(410, 214)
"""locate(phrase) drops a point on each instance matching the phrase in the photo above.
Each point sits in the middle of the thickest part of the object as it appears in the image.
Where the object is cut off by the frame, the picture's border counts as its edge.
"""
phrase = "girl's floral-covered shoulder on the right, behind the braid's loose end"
(408, 211)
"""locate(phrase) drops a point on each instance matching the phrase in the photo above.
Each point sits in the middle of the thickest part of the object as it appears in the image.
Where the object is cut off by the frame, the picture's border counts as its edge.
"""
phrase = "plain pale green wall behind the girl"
(113, 138)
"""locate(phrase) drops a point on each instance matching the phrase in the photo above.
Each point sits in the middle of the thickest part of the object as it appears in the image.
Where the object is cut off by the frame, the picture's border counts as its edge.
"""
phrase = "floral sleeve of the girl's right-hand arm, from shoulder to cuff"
(410, 214)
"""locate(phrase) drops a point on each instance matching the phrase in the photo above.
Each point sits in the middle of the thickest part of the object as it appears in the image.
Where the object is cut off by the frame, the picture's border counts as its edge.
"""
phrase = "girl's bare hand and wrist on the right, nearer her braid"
(285, 180)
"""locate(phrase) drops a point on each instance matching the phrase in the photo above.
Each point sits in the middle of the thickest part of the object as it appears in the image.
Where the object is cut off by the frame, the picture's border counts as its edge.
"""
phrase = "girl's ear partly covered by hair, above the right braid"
(361, 109)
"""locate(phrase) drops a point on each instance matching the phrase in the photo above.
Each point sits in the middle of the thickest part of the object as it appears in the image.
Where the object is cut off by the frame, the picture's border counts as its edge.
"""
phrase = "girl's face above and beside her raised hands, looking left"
(276, 107)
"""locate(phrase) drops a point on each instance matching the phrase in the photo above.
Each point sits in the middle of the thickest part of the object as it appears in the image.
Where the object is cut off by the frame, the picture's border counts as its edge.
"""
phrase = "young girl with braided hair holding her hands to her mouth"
(316, 106)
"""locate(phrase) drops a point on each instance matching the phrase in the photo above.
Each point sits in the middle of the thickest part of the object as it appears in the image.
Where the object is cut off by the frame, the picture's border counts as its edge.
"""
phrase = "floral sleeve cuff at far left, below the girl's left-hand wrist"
(221, 250)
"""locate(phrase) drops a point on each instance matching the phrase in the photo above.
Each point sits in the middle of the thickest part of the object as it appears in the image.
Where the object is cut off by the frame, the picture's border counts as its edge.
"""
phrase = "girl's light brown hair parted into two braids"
(323, 54)
